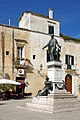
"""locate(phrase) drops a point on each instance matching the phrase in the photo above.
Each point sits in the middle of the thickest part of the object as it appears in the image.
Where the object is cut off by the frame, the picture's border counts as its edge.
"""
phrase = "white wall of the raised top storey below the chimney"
(38, 23)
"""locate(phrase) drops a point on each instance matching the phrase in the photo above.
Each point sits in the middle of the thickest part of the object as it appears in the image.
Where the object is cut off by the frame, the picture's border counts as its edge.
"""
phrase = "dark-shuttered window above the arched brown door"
(69, 60)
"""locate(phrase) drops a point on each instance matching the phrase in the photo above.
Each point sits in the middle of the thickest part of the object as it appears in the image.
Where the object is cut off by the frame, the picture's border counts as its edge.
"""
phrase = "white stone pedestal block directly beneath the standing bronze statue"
(55, 75)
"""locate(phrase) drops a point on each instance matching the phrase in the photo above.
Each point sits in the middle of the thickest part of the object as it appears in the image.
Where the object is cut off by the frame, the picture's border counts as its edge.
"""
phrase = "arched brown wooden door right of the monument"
(68, 83)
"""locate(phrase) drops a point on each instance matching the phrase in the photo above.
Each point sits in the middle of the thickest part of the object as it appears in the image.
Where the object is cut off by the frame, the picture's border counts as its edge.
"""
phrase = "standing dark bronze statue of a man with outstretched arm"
(53, 49)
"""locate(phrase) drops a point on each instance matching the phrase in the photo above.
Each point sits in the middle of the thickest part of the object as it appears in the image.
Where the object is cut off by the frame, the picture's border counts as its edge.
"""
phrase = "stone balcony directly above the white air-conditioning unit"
(23, 64)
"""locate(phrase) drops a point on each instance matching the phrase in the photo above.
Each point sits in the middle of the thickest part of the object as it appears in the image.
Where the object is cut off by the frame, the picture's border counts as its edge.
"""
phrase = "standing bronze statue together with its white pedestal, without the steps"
(54, 64)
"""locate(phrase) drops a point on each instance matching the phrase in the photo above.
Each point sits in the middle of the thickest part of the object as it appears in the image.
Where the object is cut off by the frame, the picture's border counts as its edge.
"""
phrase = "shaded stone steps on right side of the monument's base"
(66, 104)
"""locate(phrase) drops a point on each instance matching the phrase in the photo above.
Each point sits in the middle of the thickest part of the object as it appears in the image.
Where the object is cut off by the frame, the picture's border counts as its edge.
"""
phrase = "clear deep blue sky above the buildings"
(66, 11)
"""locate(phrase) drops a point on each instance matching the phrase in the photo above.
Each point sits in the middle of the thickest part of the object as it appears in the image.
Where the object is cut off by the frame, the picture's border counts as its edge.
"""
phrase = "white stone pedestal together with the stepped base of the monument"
(56, 97)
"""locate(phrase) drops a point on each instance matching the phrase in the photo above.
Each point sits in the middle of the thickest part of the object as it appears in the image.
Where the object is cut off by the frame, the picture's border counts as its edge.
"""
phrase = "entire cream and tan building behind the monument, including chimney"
(23, 59)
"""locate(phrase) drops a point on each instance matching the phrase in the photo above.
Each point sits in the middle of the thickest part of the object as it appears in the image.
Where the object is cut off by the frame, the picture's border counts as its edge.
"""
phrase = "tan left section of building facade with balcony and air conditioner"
(14, 62)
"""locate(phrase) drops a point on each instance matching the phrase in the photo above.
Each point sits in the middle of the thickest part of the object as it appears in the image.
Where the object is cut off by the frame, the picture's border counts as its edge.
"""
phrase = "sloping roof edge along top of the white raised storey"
(36, 14)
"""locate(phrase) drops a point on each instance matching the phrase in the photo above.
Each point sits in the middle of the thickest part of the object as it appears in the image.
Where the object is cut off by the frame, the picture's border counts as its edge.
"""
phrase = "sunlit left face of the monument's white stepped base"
(41, 103)
